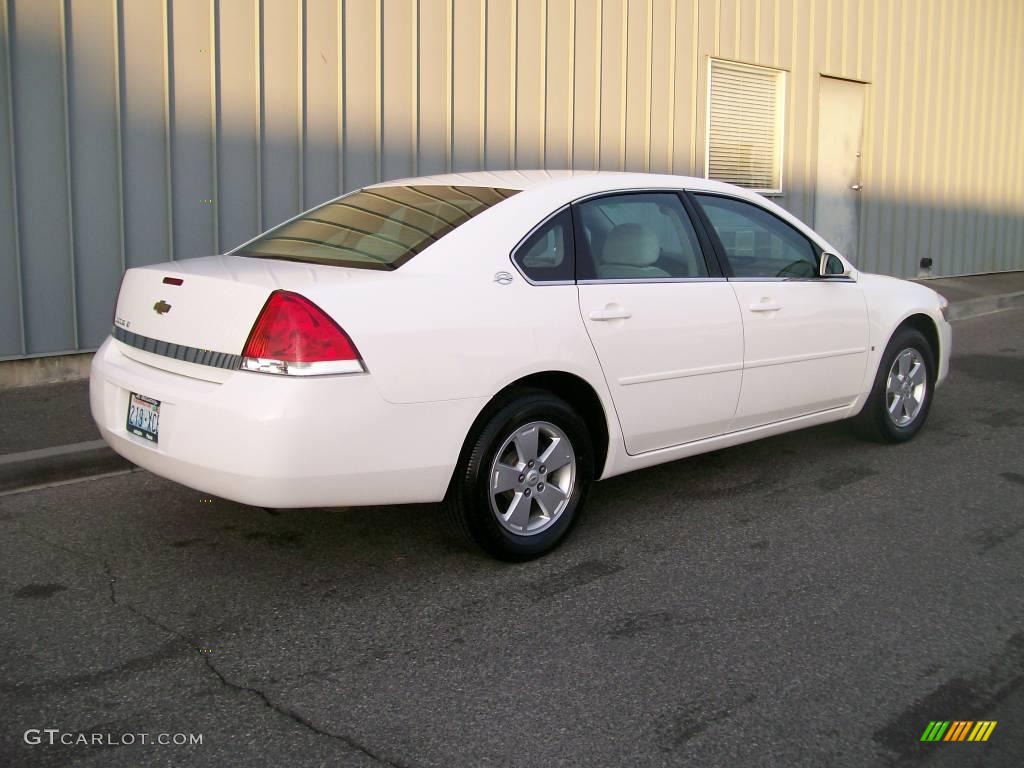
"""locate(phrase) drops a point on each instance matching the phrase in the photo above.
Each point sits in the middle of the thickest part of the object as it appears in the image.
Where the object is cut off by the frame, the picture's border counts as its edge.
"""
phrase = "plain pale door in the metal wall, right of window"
(837, 204)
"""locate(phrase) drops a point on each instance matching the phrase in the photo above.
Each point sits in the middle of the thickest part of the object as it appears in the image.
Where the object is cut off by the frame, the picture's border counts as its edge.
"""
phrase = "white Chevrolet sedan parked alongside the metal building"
(499, 342)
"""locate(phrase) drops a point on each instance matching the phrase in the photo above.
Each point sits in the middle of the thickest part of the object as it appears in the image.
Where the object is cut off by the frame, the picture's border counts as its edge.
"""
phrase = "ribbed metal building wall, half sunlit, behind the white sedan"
(135, 132)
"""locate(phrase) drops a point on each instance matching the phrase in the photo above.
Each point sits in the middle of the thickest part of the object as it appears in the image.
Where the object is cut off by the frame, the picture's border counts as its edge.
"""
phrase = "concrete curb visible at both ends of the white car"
(32, 468)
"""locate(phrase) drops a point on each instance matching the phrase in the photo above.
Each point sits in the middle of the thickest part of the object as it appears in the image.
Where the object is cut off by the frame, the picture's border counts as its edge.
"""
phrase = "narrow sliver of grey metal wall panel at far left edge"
(11, 278)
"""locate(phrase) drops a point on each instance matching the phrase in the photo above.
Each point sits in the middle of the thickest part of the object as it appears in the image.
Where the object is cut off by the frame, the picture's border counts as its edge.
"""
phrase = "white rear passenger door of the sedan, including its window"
(663, 319)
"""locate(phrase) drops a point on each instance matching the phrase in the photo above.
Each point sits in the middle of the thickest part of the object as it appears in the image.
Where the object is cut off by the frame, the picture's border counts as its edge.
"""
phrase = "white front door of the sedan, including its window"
(805, 337)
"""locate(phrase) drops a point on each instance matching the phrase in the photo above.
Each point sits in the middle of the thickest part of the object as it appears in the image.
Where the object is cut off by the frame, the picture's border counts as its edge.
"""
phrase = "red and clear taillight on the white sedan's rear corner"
(294, 336)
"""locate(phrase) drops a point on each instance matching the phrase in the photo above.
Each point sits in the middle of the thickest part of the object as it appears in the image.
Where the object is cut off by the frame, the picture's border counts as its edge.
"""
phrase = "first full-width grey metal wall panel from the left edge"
(45, 224)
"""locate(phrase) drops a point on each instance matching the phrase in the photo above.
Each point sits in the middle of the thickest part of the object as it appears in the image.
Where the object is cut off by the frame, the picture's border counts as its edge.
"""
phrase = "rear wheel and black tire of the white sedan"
(503, 497)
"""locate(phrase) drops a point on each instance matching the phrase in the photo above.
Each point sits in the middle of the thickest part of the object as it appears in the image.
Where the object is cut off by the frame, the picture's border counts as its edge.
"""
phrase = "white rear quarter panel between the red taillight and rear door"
(443, 327)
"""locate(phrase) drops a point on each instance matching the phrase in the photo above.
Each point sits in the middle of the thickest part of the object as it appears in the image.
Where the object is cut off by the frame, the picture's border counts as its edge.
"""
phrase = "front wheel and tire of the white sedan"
(899, 405)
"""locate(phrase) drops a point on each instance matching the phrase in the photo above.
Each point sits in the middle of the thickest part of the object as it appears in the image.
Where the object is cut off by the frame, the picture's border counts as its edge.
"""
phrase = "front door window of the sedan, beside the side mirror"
(757, 243)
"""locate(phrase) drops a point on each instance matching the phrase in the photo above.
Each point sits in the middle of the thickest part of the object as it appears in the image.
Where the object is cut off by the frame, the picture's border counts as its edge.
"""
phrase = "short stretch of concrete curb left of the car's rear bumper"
(59, 464)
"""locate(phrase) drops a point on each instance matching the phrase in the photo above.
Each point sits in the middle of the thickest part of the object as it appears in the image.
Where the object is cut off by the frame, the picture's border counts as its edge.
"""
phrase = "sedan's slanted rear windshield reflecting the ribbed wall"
(377, 229)
